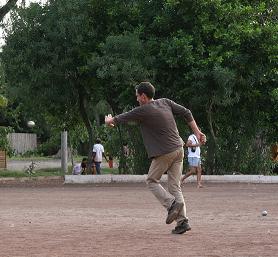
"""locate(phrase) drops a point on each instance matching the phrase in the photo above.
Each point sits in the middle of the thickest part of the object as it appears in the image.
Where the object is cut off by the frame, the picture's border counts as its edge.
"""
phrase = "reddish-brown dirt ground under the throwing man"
(126, 220)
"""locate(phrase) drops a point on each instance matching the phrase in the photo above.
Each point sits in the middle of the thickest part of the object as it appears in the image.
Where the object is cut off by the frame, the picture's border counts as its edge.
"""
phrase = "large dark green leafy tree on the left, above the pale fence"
(49, 51)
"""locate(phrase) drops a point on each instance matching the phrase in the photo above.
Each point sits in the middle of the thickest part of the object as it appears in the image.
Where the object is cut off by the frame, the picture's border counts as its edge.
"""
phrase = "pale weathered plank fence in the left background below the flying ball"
(22, 142)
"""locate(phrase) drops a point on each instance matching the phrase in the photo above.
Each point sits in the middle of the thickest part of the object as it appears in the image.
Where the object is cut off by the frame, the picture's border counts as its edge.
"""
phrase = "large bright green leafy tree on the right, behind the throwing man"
(217, 58)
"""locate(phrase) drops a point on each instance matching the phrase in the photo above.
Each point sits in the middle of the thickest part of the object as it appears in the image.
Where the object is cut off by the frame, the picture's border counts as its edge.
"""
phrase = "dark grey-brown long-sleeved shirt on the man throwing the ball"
(158, 125)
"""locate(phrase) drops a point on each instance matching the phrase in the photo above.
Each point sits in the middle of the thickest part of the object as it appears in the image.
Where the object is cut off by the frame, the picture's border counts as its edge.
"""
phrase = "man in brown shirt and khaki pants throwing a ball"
(164, 146)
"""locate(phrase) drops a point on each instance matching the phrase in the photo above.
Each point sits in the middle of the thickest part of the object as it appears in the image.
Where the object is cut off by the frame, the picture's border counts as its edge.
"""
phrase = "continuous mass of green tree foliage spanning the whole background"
(218, 58)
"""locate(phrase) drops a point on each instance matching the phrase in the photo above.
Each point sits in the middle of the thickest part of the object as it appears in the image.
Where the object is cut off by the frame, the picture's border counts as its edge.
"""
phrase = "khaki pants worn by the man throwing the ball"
(173, 164)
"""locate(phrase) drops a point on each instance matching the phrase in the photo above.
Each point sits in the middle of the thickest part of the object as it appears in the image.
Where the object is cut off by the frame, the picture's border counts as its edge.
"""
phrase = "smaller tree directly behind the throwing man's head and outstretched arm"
(122, 62)
